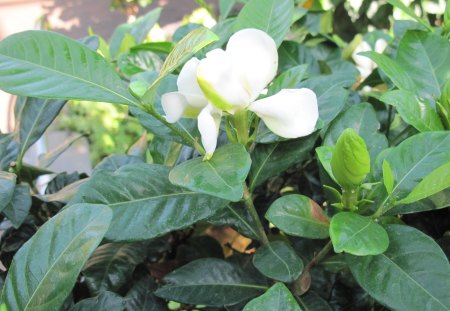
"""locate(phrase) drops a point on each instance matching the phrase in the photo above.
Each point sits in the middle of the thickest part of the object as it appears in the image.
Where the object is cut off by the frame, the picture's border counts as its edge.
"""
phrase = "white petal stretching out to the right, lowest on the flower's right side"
(291, 113)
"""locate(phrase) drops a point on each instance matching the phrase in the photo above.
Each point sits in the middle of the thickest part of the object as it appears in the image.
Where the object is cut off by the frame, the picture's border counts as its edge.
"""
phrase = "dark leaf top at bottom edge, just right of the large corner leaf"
(106, 301)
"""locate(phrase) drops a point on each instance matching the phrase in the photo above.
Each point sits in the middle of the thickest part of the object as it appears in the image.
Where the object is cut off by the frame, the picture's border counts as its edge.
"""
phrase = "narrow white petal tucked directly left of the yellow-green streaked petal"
(188, 85)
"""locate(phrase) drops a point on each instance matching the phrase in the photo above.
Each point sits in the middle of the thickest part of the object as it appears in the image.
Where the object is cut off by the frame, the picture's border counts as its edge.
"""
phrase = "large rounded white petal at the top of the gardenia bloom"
(255, 57)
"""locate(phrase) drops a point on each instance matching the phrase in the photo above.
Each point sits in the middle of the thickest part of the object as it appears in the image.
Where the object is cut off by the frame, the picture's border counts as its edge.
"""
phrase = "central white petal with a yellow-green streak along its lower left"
(220, 83)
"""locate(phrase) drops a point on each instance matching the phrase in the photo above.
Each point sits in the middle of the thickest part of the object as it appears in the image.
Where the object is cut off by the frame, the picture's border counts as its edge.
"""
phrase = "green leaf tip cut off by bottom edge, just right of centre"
(278, 297)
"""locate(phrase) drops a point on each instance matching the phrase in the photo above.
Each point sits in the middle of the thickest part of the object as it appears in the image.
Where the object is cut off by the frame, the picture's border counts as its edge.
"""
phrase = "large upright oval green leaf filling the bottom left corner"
(39, 277)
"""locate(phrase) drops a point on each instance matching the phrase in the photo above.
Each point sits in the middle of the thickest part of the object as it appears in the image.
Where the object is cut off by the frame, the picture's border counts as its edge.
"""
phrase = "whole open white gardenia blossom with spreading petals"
(230, 81)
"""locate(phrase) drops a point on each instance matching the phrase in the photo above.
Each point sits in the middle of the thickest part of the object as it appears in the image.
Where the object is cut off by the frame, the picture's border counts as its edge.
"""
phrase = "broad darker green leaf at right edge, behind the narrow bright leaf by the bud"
(411, 161)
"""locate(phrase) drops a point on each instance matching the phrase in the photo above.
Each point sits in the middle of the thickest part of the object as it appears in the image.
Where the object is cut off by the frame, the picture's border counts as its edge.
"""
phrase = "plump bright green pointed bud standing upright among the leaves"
(351, 160)
